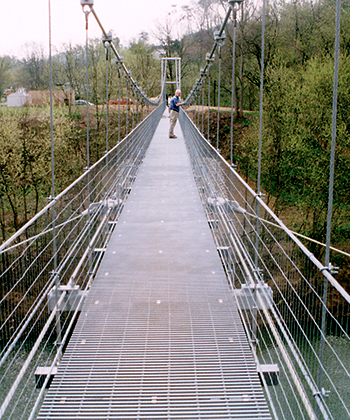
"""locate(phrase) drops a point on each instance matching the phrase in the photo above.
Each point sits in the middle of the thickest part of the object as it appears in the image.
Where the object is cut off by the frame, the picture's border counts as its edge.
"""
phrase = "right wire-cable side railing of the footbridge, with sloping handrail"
(295, 313)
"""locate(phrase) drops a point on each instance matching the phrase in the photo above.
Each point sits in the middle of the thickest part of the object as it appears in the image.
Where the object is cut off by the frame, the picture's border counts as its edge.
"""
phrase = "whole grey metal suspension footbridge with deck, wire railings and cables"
(159, 285)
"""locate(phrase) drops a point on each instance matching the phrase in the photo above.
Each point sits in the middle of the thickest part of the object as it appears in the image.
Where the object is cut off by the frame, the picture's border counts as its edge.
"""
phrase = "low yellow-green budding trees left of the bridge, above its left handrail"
(25, 156)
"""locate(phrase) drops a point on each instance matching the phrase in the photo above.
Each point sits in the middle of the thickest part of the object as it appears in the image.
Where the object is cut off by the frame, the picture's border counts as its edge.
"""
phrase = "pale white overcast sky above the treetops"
(26, 21)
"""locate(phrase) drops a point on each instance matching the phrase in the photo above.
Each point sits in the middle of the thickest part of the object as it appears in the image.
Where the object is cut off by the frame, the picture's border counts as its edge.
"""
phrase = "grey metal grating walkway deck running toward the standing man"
(159, 336)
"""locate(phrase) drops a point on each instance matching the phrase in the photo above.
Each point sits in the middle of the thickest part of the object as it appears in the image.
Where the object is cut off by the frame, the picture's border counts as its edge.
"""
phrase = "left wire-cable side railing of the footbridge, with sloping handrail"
(47, 268)
